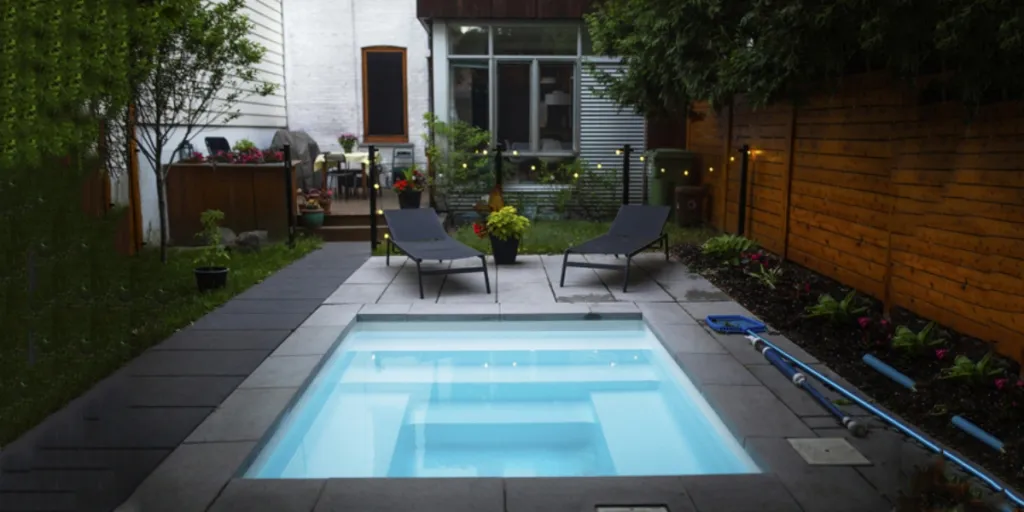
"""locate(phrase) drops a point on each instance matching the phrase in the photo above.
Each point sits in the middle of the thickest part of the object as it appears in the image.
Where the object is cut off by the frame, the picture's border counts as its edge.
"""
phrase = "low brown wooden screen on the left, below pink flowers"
(252, 197)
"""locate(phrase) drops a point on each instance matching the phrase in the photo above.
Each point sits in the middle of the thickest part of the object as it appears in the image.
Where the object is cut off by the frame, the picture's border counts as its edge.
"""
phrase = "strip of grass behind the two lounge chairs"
(553, 237)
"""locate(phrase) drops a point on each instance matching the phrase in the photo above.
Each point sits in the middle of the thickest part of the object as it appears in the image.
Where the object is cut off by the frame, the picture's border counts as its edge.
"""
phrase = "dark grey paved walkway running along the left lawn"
(92, 455)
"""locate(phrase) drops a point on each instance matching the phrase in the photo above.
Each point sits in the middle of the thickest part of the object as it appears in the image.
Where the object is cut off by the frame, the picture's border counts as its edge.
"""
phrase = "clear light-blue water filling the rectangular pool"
(500, 400)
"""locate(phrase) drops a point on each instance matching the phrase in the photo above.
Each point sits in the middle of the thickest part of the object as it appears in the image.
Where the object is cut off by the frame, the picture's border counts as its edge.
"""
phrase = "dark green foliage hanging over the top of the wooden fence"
(679, 52)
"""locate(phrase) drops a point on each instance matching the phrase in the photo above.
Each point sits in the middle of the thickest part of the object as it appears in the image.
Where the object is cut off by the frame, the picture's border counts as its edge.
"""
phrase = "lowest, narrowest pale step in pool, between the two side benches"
(515, 413)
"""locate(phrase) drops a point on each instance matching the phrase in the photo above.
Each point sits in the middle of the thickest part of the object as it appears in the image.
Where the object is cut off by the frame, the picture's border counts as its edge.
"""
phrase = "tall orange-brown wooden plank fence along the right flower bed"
(911, 204)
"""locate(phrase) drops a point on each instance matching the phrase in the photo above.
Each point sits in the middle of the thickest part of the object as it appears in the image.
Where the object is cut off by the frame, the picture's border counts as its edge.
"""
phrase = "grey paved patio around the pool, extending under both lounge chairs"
(810, 463)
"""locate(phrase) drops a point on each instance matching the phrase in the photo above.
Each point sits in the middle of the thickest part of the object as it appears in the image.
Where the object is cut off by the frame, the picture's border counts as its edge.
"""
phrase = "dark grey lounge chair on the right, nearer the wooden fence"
(636, 228)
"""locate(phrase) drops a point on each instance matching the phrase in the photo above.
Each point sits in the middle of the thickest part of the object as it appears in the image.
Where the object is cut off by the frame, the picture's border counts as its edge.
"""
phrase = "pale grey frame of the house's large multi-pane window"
(536, 61)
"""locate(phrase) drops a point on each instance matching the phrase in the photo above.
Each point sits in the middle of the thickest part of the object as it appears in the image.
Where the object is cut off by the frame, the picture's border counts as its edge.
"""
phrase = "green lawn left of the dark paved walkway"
(81, 336)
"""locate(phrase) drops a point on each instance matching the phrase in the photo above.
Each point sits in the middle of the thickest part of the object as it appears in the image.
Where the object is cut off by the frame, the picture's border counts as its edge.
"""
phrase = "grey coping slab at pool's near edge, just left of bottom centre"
(426, 495)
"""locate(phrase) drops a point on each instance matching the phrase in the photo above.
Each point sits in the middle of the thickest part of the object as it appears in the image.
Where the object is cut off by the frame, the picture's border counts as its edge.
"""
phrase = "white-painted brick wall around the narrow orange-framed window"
(324, 64)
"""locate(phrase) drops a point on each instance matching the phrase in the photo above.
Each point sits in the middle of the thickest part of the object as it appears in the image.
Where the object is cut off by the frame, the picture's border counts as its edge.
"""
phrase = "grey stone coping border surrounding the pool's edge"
(232, 438)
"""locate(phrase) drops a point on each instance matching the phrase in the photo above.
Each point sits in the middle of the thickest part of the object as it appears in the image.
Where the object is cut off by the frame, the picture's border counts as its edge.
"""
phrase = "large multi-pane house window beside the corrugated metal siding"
(521, 82)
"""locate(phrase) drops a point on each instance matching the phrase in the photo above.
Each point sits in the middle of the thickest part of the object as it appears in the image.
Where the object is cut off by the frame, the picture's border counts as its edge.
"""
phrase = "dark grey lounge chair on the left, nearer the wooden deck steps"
(418, 234)
